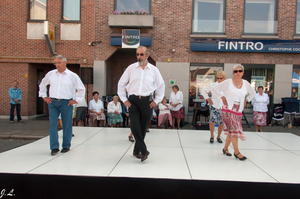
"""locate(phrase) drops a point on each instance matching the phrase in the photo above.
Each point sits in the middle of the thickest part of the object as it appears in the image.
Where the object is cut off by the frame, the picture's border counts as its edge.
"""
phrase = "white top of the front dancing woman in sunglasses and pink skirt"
(231, 92)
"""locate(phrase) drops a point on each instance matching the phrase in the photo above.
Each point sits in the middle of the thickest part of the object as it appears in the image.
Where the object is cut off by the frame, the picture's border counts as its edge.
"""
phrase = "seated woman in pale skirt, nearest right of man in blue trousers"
(96, 110)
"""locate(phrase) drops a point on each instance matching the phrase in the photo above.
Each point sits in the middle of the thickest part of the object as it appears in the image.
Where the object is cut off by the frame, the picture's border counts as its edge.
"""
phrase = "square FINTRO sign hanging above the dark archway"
(130, 38)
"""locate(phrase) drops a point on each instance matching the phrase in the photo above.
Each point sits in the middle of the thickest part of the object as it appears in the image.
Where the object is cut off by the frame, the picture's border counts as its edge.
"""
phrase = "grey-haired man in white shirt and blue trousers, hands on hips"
(63, 84)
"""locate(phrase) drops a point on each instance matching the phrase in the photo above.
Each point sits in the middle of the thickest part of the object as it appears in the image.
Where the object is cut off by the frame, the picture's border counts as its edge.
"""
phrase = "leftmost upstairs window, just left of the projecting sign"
(37, 10)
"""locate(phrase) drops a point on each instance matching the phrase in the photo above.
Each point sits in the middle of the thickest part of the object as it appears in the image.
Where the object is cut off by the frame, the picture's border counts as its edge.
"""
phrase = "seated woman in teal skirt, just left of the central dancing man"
(114, 112)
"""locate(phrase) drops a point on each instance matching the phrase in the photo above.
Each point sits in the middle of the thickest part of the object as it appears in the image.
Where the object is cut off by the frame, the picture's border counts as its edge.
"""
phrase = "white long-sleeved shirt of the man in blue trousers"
(62, 85)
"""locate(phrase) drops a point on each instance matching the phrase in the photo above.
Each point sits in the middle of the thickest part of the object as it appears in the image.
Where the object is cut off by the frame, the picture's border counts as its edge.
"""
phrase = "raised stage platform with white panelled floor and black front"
(101, 161)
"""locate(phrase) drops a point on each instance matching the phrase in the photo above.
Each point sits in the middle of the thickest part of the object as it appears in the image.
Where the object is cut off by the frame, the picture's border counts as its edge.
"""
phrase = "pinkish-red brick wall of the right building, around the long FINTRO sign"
(173, 27)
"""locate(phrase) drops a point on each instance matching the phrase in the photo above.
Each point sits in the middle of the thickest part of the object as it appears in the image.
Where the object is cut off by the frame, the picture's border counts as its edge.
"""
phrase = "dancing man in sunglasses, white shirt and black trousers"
(143, 79)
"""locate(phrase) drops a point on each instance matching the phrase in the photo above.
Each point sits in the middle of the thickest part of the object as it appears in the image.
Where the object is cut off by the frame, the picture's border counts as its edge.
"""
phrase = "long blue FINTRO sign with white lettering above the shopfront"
(244, 45)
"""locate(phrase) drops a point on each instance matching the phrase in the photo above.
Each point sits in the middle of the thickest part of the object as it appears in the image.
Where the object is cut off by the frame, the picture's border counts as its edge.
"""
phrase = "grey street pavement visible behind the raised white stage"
(38, 128)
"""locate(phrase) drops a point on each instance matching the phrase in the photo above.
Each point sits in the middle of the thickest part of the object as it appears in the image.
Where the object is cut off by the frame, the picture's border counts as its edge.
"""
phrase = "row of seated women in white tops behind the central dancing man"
(111, 112)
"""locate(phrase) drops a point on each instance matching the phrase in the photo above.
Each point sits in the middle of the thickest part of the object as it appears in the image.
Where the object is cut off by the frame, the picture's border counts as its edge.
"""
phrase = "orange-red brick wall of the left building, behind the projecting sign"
(16, 51)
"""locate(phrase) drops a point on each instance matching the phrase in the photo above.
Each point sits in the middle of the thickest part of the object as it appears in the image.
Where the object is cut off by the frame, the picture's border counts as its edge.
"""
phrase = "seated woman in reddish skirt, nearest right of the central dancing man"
(165, 116)
